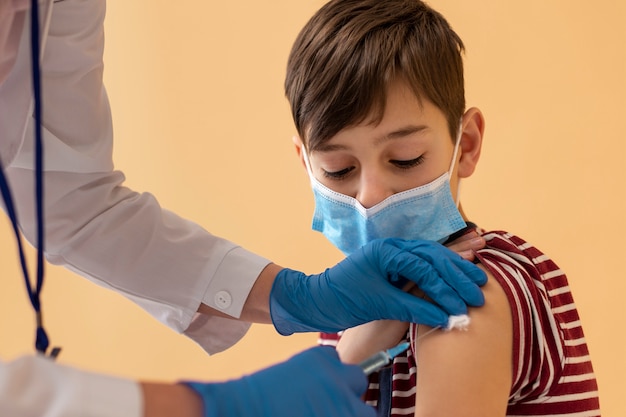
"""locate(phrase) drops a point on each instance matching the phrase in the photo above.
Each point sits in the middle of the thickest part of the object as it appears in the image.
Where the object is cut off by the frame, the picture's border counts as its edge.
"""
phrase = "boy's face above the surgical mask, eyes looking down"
(410, 147)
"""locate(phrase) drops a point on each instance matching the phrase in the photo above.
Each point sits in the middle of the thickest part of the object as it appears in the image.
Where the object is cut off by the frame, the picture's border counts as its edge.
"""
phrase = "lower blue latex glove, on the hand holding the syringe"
(313, 383)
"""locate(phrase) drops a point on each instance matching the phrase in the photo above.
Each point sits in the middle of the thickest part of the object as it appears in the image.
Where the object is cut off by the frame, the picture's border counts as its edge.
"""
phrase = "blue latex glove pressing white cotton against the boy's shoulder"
(365, 287)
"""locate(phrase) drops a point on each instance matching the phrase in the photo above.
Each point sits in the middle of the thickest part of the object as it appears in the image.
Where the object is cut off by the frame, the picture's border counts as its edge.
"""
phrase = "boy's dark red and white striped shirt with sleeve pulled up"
(552, 371)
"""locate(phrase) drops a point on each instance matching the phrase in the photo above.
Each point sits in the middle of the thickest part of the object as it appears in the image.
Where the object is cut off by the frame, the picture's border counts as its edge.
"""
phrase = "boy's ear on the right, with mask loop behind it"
(471, 141)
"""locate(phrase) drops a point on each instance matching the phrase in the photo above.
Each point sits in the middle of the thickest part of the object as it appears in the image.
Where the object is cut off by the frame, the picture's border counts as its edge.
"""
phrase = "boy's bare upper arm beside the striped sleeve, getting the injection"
(468, 373)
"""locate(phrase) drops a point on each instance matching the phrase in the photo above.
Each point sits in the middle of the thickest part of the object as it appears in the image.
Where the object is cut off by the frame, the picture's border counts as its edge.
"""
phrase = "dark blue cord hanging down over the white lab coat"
(34, 292)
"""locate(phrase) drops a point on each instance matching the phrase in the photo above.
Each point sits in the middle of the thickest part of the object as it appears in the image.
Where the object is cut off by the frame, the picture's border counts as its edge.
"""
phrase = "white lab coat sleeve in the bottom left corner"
(34, 386)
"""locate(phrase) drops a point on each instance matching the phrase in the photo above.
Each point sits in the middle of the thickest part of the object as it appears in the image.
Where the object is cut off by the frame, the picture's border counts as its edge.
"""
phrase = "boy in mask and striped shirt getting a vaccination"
(377, 95)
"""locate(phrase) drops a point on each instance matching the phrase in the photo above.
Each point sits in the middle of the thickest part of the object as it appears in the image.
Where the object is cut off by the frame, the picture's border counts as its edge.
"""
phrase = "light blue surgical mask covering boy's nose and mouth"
(427, 212)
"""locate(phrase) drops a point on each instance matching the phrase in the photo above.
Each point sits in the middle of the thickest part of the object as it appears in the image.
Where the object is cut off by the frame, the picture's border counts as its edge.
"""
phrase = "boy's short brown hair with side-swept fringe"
(348, 53)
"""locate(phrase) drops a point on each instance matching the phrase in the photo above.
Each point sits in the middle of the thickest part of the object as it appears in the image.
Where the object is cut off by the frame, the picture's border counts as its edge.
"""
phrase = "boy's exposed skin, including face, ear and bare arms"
(411, 146)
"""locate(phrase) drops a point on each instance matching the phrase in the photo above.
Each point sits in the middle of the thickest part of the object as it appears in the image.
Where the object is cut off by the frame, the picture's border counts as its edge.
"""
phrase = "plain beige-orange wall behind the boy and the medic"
(201, 122)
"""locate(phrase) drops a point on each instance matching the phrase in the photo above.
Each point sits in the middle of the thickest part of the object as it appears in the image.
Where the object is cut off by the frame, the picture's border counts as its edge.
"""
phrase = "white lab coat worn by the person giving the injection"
(100, 229)
